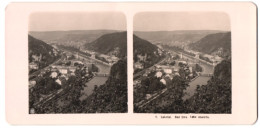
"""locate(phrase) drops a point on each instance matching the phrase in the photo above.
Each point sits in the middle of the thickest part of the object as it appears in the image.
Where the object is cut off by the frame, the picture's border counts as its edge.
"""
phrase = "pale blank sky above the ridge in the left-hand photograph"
(55, 21)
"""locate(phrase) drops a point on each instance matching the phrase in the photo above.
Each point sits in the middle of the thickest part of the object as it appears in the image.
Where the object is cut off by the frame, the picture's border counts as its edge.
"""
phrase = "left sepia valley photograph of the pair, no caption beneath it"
(77, 62)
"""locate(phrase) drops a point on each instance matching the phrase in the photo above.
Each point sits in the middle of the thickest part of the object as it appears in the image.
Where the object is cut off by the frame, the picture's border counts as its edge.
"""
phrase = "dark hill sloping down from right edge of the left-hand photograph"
(110, 43)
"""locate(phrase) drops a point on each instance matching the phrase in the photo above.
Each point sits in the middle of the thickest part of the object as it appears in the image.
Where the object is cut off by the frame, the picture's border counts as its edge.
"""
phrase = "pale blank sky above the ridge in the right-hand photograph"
(170, 21)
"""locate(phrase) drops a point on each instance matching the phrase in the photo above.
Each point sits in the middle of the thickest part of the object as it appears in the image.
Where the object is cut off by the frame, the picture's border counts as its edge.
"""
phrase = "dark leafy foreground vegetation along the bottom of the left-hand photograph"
(108, 98)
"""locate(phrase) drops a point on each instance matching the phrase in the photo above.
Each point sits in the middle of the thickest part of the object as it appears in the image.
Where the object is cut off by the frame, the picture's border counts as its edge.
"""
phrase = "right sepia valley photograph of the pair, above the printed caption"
(182, 62)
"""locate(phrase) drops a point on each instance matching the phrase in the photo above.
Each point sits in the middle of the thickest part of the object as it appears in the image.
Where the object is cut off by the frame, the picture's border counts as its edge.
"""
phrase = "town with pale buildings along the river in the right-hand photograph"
(194, 68)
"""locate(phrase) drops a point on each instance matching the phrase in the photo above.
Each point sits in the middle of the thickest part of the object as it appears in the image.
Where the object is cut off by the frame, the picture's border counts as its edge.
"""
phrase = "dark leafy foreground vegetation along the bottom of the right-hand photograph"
(215, 97)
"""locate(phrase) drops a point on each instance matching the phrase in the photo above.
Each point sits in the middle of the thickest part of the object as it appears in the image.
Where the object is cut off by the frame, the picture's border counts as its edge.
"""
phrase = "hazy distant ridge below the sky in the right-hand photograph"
(174, 38)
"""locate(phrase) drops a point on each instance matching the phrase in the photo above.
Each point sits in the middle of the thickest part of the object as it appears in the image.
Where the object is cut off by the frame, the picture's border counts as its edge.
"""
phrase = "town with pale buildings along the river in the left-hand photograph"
(53, 80)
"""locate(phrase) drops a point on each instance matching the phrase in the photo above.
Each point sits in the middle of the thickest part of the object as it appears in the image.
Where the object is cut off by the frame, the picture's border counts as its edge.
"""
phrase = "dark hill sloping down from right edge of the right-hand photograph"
(213, 43)
